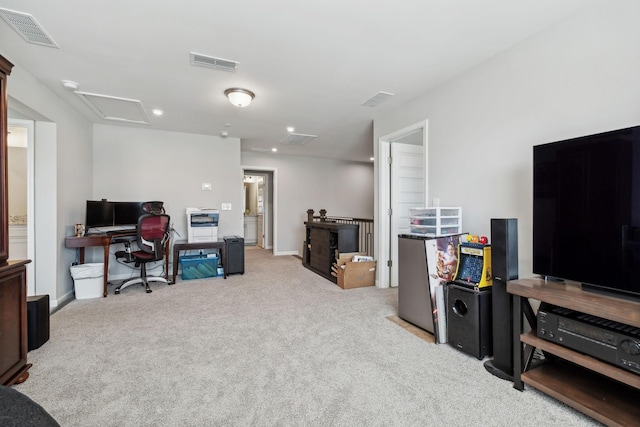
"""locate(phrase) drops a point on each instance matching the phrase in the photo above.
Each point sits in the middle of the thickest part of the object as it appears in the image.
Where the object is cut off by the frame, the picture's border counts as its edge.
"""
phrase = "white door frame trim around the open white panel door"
(382, 226)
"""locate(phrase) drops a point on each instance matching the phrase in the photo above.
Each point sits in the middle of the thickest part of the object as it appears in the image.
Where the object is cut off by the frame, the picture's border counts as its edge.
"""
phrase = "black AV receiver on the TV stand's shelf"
(603, 339)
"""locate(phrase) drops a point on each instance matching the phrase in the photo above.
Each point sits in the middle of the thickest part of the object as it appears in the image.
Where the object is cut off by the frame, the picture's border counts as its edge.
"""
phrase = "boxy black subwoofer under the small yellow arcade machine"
(469, 320)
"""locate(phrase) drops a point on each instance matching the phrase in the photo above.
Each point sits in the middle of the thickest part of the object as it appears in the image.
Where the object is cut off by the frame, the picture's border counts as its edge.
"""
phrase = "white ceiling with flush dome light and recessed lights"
(310, 63)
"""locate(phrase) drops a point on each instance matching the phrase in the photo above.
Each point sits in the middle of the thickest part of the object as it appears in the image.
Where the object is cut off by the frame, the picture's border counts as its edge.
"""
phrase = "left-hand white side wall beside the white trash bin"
(63, 176)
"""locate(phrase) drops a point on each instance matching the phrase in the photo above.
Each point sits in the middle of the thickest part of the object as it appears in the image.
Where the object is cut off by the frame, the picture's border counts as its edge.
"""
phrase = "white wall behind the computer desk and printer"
(137, 164)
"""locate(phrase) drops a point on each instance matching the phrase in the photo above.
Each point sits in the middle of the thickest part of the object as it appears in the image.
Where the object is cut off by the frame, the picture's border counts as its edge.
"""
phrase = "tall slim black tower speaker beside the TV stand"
(504, 263)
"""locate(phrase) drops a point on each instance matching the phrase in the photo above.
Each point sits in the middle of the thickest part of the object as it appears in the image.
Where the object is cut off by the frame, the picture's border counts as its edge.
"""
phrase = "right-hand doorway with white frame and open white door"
(402, 183)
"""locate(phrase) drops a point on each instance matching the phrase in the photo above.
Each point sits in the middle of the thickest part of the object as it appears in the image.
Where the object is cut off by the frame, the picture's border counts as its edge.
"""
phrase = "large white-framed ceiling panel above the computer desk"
(113, 108)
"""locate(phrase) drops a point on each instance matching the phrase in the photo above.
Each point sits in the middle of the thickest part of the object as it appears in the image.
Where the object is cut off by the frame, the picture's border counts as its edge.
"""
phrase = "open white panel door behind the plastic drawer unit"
(407, 191)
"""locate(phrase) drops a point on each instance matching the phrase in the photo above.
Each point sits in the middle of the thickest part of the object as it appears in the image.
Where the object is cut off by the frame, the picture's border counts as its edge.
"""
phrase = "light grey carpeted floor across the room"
(277, 346)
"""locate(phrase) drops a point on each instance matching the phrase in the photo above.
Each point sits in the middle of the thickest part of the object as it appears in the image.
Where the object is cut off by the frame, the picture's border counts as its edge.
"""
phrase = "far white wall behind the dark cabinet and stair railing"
(342, 188)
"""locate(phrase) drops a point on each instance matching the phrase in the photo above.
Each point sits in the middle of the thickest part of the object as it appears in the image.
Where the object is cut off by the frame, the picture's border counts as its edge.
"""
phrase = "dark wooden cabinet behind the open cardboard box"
(322, 241)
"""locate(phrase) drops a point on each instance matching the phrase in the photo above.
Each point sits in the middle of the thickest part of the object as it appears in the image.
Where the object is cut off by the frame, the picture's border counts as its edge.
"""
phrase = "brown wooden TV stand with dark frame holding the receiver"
(600, 390)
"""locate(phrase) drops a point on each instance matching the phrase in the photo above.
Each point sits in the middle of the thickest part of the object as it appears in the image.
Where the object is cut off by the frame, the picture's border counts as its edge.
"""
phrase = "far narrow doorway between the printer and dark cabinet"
(260, 207)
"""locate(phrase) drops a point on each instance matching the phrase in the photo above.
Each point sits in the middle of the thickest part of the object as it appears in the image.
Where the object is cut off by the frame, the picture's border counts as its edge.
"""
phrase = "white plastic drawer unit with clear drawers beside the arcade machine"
(435, 221)
